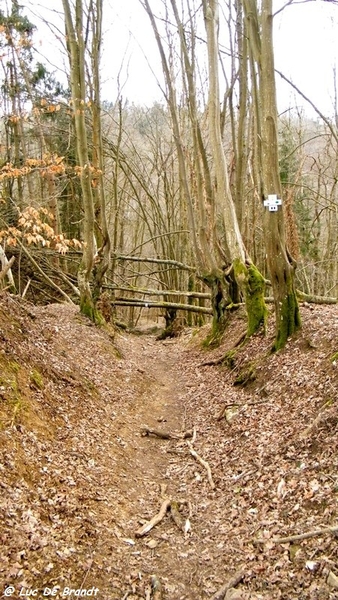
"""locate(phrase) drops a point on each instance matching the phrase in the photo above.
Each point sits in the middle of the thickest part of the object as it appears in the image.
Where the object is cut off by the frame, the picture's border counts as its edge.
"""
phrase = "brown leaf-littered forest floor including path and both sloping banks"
(78, 478)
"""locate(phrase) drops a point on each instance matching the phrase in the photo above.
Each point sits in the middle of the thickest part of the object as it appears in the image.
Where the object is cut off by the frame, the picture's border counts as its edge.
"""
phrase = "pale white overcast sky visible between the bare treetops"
(306, 50)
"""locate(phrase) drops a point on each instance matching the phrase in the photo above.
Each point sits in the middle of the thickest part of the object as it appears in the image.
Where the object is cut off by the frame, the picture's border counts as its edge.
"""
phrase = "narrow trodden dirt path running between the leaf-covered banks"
(154, 465)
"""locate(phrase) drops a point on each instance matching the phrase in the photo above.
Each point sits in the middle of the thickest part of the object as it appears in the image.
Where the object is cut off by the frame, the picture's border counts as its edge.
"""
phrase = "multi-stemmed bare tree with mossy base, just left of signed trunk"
(212, 248)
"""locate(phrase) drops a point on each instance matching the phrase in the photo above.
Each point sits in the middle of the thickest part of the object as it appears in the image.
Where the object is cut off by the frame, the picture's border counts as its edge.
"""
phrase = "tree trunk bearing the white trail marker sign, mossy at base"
(281, 266)
